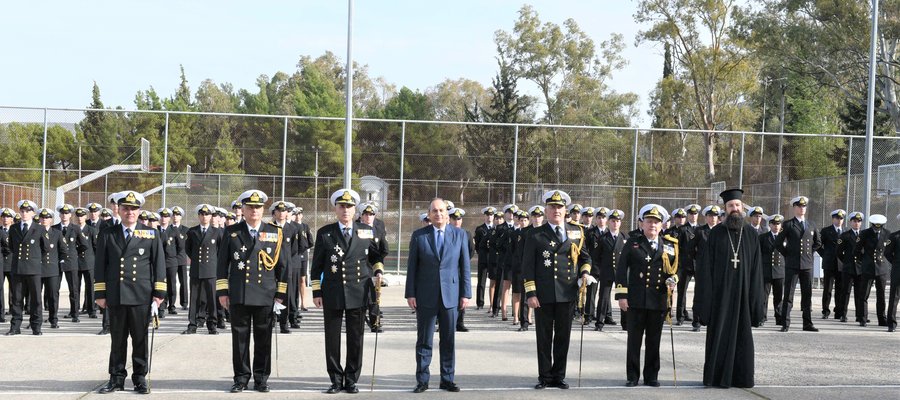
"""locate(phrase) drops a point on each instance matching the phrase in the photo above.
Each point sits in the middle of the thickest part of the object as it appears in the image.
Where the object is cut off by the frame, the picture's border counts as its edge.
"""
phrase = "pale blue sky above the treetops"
(54, 50)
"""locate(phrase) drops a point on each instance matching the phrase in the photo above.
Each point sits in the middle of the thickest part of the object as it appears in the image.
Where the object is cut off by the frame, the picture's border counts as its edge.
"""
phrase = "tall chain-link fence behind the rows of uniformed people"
(403, 164)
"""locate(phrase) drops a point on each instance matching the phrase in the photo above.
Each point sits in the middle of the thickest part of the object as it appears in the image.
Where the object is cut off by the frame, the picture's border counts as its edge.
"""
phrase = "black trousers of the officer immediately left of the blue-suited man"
(355, 320)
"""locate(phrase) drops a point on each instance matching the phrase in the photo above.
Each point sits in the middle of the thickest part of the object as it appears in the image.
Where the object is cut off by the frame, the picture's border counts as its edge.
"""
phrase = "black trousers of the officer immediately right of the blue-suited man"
(553, 327)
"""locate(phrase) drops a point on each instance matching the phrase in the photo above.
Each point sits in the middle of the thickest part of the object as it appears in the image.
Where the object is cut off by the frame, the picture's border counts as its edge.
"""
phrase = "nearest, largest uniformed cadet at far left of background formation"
(25, 242)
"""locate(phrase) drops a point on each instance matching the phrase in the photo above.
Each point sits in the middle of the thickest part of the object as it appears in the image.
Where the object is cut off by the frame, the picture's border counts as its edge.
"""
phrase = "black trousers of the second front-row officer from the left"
(260, 319)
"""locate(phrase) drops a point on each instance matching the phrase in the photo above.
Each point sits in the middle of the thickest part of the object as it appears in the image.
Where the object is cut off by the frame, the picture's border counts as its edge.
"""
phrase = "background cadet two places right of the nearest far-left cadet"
(75, 243)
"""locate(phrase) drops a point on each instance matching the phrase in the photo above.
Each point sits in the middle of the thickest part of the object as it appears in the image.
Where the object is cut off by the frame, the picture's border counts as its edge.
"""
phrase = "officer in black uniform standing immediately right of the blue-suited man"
(555, 260)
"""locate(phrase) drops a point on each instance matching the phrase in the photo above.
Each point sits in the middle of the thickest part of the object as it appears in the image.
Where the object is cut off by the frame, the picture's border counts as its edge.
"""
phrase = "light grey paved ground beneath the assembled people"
(493, 361)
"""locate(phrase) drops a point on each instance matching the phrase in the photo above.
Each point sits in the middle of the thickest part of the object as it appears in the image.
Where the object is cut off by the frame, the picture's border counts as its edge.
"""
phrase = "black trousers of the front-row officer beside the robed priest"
(647, 325)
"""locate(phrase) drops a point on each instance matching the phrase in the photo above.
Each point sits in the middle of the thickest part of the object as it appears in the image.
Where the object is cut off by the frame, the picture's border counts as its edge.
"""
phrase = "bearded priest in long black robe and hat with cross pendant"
(736, 298)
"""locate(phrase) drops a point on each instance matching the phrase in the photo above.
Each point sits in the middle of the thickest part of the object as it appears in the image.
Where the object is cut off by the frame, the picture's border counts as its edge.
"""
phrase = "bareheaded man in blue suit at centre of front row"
(437, 287)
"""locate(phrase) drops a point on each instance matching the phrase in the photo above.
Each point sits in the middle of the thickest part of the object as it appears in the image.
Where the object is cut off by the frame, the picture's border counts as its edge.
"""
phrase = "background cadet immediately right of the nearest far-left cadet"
(54, 258)
